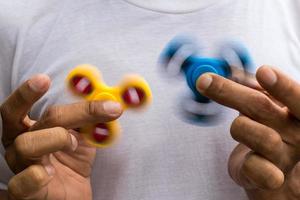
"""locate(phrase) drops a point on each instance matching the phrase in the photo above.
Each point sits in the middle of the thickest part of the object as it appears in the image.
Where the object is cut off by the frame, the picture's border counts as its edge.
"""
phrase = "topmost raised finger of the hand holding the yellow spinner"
(17, 105)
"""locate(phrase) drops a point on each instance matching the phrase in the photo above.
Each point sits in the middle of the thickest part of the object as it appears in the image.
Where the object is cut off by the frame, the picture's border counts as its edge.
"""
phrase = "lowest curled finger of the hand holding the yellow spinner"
(31, 183)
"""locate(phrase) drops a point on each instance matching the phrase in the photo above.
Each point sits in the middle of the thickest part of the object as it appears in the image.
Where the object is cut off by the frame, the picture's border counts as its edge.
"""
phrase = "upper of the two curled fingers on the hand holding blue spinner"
(259, 138)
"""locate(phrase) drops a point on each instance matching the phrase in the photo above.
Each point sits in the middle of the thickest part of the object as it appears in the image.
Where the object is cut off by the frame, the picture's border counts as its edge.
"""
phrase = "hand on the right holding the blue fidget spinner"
(266, 162)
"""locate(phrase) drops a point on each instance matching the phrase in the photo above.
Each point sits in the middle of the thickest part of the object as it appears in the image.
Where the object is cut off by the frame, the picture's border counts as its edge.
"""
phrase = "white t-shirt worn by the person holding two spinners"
(159, 155)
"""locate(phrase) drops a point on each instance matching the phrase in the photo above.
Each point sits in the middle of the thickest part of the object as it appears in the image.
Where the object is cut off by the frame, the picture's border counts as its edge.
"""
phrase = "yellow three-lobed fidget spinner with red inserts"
(132, 93)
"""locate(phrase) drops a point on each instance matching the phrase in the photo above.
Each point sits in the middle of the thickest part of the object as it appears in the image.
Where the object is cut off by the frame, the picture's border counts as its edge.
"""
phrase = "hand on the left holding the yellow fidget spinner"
(50, 159)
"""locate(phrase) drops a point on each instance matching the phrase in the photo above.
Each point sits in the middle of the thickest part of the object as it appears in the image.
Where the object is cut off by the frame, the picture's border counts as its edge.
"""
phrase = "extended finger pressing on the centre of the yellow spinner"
(79, 114)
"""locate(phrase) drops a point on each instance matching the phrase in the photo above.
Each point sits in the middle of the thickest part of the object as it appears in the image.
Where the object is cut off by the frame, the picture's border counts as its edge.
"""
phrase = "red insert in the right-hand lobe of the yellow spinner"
(133, 96)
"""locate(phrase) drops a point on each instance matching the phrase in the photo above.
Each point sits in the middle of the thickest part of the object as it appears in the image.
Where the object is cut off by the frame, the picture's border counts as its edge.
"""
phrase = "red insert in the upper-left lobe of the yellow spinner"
(82, 85)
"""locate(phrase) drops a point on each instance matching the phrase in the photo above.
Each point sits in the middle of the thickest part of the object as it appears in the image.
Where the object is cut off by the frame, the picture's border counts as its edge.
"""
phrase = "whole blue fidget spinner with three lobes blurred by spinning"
(182, 56)
